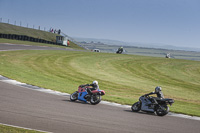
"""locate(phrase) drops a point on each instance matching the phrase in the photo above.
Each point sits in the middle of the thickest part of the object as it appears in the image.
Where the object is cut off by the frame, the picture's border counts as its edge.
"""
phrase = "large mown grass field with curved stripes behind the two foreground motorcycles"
(123, 77)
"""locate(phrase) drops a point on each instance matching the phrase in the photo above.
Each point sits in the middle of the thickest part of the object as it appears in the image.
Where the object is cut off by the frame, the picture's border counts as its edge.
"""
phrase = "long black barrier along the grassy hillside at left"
(25, 38)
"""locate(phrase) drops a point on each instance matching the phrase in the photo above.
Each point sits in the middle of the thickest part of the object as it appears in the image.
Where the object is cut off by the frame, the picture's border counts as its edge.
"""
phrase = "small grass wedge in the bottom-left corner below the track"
(9, 129)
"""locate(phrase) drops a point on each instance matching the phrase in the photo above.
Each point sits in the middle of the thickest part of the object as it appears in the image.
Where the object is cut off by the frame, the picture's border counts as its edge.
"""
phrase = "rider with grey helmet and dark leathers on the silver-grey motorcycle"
(158, 92)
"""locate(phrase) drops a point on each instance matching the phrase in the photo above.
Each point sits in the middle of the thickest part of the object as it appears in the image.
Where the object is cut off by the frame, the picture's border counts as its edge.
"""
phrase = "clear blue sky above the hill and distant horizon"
(163, 22)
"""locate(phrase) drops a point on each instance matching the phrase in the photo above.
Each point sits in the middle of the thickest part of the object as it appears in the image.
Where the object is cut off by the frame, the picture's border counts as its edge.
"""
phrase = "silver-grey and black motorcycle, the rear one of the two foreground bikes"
(147, 104)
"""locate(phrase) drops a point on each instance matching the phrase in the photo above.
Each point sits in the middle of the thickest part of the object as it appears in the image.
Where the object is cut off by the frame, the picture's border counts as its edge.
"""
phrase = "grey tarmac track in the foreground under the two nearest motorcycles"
(24, 107)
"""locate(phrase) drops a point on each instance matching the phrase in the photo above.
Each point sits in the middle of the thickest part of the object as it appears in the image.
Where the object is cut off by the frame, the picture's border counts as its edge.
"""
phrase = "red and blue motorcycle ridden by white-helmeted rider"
(82, 95)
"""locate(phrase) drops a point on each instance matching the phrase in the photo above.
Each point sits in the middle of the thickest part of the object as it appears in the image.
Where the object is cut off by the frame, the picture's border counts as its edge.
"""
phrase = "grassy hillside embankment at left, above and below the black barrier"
(12, 29)
